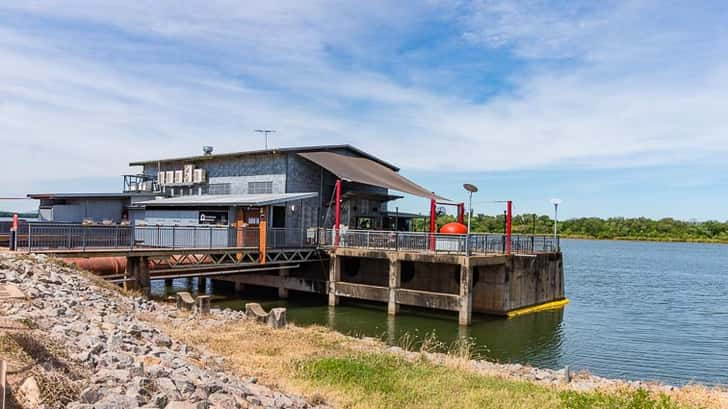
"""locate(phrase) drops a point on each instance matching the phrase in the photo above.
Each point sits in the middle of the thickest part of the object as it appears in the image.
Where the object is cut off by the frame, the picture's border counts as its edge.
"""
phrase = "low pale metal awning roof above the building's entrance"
(264, 199)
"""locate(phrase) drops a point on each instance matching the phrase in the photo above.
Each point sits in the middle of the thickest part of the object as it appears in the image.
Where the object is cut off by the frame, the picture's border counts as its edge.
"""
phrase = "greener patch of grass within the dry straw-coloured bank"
(371, 380)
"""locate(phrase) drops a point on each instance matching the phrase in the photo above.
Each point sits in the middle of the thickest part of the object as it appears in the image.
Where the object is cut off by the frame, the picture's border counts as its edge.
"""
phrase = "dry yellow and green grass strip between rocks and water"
(359, 374)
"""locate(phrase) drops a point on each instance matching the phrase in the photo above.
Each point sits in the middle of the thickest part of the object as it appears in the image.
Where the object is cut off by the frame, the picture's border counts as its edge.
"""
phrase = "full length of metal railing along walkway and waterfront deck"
(49, 236)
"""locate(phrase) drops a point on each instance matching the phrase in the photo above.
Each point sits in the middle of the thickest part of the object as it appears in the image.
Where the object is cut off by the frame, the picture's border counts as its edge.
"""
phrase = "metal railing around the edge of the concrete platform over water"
(479, 243)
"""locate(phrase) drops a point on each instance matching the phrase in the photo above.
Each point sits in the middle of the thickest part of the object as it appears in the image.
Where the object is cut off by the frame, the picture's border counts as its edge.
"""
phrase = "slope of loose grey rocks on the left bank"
(129, 363)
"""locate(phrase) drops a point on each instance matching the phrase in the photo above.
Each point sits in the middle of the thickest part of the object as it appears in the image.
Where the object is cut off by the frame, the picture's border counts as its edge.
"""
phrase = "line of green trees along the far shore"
(613, 228)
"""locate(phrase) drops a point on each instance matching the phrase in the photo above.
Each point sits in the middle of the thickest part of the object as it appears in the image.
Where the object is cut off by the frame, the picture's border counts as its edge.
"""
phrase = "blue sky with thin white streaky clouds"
(618, 108)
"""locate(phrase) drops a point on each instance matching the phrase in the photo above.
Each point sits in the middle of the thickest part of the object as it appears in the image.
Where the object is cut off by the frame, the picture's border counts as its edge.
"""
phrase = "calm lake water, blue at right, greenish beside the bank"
(650, 311)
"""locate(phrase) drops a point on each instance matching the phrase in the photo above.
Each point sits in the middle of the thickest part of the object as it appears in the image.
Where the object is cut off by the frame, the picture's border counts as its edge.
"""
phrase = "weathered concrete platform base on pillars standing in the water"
(505, 285)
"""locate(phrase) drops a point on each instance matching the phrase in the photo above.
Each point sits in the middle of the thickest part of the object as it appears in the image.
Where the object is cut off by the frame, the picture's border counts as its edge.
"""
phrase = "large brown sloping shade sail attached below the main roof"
(367, 171)
